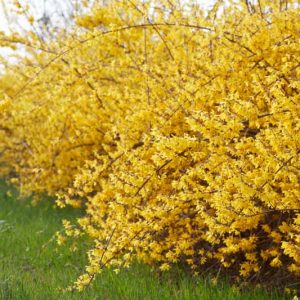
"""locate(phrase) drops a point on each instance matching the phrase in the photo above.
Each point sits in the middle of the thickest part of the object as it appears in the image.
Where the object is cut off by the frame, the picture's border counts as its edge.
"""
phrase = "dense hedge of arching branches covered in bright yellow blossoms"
(177, 129)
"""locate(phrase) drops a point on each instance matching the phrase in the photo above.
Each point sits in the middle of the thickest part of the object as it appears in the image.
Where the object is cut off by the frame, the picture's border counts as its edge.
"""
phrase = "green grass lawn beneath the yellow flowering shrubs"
(30, 271)
